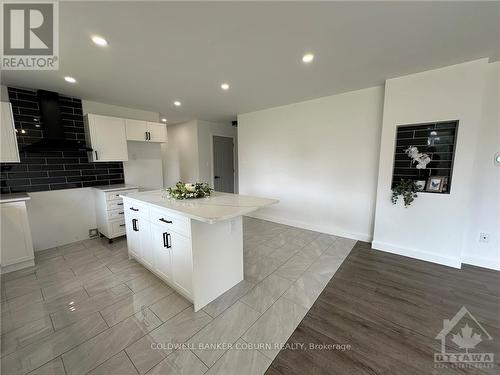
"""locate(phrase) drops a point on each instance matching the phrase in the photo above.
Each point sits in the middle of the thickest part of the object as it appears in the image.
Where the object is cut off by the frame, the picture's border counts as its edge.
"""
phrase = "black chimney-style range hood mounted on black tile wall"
(53, 129)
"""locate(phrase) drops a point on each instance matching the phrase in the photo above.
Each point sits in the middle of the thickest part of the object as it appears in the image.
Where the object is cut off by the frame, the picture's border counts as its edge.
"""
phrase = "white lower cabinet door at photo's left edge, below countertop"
(16, 242)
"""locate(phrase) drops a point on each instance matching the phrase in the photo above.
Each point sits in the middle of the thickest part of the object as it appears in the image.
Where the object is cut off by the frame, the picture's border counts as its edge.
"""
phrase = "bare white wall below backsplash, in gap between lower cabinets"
(60, 217)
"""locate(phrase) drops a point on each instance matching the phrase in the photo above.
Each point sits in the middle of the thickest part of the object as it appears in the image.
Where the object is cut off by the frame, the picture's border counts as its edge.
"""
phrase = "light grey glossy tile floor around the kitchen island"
(86, 308)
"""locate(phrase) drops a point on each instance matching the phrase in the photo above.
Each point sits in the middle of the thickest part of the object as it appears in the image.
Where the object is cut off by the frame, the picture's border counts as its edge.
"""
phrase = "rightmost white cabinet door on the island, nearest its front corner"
(182, 263)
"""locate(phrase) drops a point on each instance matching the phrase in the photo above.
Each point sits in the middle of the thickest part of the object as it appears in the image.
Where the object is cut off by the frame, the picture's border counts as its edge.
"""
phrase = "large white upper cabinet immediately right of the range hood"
(107, 137)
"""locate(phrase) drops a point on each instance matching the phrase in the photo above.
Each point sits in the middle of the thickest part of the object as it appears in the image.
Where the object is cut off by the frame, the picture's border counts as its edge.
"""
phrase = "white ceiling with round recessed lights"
(164, 51)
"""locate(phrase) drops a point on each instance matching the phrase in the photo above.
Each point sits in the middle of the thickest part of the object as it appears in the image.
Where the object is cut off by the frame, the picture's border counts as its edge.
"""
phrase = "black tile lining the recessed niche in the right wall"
(437, 140)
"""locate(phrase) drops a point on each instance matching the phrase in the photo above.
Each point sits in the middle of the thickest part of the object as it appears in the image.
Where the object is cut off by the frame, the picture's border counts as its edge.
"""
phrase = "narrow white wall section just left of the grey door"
(180, 154)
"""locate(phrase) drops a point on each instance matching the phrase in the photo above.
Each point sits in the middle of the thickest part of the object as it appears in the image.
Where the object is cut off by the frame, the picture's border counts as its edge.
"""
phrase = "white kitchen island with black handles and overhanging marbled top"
(194, 245)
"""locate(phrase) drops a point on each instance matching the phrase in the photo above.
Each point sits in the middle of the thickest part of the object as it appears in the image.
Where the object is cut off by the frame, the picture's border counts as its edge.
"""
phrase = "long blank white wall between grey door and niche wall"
(319, 158)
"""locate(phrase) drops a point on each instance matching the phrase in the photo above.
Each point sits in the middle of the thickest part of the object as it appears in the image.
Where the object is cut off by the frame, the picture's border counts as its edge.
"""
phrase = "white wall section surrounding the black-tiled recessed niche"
(432, 228)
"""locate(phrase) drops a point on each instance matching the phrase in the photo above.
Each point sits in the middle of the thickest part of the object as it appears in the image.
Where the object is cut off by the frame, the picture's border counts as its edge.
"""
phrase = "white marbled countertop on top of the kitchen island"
(217, 207)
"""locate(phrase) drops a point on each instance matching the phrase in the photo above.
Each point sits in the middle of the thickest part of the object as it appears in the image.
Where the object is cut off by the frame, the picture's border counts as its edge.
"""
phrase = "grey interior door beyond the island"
(223, 160)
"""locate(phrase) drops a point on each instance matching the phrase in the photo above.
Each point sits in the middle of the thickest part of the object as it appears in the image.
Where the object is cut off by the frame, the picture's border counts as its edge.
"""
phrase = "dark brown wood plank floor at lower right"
(389, 309)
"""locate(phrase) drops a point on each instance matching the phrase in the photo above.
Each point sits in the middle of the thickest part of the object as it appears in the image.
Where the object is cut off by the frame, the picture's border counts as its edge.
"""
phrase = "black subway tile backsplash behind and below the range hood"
(55, 169)
